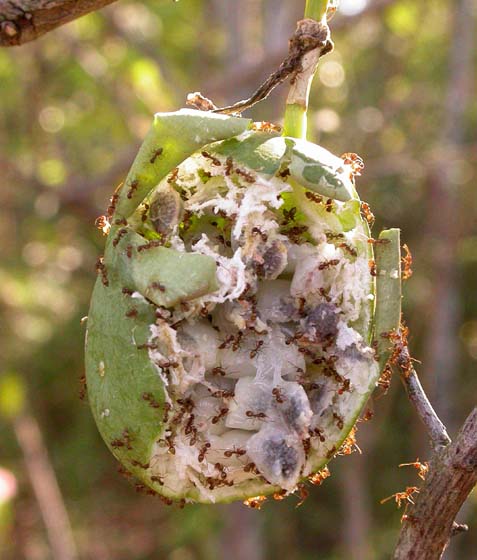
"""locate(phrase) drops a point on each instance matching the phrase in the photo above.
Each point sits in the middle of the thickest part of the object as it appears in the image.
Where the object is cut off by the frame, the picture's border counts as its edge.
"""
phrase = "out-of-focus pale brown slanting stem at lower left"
(45, 487)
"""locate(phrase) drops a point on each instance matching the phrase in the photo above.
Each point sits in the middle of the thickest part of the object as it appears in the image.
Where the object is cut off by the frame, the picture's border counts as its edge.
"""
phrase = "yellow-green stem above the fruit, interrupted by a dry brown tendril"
(295, 123)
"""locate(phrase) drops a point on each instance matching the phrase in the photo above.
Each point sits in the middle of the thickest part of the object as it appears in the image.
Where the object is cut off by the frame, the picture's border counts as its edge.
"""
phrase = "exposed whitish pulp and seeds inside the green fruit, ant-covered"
(263, 377)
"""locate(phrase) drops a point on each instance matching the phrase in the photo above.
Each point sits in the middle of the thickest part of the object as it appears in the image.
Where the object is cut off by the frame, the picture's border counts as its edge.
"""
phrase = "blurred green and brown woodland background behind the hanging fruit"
(399, 89)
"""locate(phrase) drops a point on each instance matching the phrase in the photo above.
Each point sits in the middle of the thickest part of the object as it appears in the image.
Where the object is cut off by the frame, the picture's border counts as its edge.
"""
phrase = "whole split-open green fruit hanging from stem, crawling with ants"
(241, 316)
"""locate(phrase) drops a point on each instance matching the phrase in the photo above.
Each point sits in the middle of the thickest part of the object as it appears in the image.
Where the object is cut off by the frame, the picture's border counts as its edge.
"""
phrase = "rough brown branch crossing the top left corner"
(22, 21)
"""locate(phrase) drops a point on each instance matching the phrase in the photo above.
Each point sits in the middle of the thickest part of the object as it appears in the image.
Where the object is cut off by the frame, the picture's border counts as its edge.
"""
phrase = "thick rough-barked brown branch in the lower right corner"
(429, 524)
